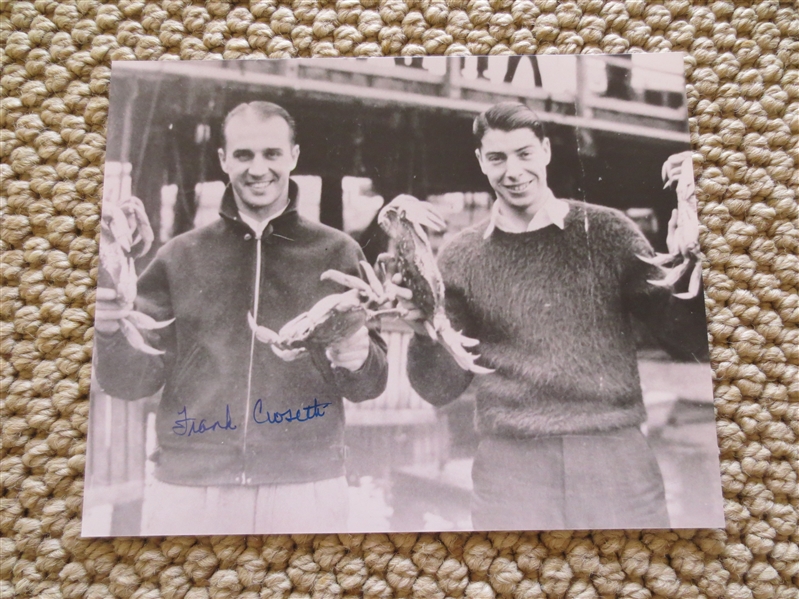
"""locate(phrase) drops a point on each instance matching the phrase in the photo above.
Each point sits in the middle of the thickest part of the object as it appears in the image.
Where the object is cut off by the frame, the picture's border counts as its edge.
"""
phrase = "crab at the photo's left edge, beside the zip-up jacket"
(125, 234)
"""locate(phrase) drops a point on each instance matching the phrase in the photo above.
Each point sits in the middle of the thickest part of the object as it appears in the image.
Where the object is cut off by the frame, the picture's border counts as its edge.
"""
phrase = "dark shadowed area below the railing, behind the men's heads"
(416, 150)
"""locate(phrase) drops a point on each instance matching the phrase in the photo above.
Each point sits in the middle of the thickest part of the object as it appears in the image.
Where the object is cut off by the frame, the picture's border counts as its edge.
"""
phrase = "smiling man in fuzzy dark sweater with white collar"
(549, 288)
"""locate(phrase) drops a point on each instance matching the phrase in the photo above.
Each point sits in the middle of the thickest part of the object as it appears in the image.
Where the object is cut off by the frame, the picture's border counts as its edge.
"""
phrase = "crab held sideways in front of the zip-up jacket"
(332, 318)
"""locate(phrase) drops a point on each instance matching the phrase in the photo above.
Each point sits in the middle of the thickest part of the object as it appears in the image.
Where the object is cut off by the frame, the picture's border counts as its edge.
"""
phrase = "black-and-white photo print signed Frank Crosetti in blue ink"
(400, 294)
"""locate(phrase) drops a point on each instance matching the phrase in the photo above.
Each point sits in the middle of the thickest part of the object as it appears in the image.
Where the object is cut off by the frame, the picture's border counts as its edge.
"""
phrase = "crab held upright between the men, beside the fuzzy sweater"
(404, 219)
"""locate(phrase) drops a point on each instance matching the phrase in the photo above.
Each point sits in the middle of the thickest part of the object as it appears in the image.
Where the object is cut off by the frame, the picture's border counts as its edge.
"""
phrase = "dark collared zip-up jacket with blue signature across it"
(230, 410)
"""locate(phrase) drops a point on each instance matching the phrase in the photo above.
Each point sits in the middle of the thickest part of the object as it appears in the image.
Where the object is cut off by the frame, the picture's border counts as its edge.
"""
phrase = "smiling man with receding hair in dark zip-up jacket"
(249, 440)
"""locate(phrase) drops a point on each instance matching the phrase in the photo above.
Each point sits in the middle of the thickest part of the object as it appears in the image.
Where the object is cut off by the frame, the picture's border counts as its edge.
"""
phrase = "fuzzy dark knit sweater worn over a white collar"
(553, 312)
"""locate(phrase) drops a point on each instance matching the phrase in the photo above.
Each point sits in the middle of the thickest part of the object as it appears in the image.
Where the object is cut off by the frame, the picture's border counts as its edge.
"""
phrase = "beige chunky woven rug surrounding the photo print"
(743, 90)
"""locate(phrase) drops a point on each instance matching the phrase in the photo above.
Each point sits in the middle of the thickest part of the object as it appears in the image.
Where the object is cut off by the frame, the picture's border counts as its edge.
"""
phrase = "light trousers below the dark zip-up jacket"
(314, 507)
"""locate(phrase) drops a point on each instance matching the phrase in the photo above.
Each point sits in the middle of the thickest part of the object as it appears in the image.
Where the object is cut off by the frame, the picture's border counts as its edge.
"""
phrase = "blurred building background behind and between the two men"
(370, 129)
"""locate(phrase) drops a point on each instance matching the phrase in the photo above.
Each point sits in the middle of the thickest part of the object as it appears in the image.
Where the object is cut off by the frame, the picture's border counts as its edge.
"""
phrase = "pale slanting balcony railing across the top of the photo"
(566, 95)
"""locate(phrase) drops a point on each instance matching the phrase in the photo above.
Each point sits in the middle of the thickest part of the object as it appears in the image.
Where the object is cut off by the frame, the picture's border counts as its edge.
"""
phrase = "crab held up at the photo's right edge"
(683, 229)
